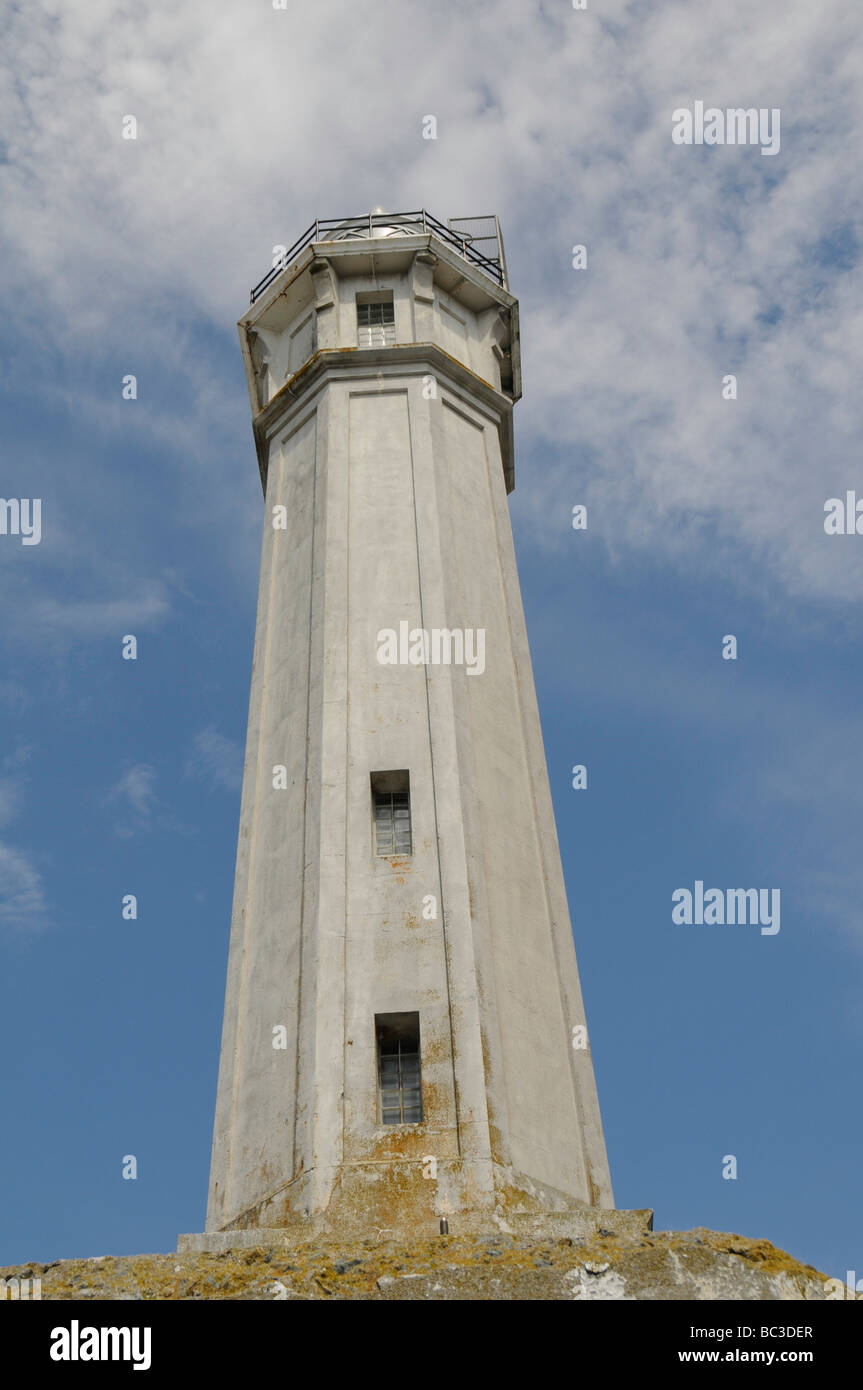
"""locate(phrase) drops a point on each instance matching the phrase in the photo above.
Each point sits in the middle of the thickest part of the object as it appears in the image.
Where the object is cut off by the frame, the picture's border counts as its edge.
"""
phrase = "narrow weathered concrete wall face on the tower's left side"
(256, 1109)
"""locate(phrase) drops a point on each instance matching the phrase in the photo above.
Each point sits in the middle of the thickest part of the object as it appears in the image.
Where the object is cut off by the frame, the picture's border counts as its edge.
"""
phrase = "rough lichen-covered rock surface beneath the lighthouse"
(662, 1266)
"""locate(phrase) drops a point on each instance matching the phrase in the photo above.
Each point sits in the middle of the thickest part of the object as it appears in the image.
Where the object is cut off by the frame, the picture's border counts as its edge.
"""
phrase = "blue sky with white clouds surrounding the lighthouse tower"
(705, 518)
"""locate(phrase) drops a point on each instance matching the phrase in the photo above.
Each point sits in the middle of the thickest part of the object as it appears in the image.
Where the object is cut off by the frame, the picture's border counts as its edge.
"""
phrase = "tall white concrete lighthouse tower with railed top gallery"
(404, 1035)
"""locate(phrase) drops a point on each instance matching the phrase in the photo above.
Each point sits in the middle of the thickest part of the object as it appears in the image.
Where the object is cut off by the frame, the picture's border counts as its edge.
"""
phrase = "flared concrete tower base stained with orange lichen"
(411, 1202)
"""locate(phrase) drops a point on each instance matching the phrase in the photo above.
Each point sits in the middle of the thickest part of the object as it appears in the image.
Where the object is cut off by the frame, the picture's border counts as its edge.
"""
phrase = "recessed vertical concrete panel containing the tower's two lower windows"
(395, 958)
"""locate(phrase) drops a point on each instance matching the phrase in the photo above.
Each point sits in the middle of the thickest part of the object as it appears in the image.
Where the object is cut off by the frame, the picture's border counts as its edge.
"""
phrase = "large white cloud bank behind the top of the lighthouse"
(252, 123)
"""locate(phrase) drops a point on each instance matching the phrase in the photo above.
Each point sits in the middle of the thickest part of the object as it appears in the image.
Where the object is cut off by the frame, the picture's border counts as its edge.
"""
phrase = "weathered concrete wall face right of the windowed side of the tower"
(527, 970)
